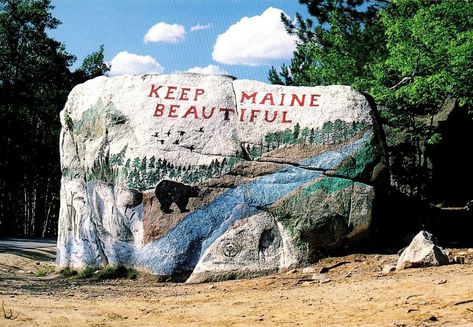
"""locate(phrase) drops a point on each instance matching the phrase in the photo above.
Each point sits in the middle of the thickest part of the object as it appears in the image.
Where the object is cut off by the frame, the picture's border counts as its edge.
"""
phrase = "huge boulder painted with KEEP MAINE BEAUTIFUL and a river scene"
(202, 178)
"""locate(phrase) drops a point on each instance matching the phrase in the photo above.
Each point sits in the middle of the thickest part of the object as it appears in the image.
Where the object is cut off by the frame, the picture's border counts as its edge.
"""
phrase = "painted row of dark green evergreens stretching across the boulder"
(143, 173)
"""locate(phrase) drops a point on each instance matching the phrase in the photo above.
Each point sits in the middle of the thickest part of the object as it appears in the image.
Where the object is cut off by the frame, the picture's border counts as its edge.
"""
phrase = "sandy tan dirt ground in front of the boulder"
(354, 293)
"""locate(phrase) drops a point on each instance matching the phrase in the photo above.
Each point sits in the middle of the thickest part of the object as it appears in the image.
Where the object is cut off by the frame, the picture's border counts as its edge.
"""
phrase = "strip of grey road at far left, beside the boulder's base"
(33, 248)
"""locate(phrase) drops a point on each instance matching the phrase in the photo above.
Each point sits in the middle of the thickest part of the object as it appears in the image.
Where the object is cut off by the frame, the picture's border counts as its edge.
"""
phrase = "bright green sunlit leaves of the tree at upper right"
(430, 48)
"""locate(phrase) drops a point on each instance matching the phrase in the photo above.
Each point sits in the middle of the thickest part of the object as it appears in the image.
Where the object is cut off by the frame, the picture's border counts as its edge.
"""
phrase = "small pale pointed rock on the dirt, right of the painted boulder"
(422, 252)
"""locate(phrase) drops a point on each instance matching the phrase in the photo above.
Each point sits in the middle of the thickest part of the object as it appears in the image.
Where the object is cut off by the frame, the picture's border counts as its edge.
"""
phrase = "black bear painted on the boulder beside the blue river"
(168, 192)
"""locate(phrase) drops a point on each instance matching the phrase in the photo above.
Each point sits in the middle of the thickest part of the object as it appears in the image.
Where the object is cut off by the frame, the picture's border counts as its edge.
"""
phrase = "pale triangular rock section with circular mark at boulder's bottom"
(253, 246)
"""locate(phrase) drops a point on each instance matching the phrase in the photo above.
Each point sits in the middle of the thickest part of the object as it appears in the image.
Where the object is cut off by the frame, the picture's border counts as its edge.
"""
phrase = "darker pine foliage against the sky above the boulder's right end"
(337, 52)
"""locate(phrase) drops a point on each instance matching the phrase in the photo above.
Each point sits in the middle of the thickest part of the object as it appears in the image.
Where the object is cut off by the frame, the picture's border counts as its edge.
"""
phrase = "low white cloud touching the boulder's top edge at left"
(125, 63)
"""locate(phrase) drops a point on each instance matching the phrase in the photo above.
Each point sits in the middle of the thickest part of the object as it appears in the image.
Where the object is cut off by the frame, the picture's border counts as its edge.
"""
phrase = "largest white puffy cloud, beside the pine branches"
(255, 41)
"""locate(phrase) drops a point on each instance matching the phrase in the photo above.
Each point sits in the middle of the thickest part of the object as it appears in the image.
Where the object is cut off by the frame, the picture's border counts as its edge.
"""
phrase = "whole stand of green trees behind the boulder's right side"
(413, 56)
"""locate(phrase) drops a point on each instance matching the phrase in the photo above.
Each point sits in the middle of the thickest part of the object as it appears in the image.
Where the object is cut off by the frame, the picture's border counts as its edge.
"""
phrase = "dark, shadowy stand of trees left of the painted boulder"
(34, 83)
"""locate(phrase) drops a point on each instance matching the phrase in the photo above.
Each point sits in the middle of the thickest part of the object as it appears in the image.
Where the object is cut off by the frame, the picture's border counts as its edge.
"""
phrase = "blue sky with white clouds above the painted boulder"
(210, 36)
